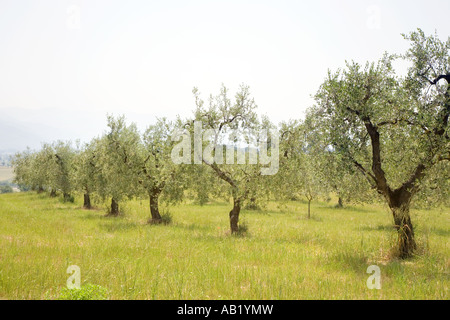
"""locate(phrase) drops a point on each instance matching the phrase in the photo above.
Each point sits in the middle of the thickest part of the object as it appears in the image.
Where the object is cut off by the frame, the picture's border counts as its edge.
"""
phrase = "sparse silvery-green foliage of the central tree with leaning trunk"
(231, 120)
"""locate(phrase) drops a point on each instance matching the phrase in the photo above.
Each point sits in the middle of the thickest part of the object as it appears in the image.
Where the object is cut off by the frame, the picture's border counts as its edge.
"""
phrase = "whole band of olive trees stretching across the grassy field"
(372, 135)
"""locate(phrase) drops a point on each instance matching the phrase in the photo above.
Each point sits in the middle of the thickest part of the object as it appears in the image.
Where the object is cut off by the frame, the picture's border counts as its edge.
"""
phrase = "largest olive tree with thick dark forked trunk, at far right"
(392, 128)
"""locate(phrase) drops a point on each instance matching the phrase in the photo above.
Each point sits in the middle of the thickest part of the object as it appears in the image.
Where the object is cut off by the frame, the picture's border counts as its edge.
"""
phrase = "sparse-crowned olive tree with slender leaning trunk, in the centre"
(226, 128)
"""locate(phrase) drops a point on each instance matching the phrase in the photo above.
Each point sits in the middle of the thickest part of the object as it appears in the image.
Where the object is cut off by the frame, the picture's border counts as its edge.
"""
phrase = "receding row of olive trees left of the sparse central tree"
(119, 165)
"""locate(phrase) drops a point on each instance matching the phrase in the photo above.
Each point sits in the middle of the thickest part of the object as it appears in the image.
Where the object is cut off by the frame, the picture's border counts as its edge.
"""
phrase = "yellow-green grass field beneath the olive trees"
(283, 256)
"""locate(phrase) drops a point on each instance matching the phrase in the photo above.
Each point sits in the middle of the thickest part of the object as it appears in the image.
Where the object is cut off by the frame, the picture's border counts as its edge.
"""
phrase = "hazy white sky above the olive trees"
(67, 63)
